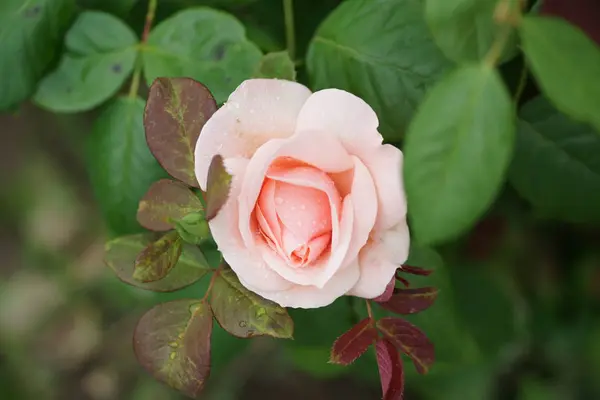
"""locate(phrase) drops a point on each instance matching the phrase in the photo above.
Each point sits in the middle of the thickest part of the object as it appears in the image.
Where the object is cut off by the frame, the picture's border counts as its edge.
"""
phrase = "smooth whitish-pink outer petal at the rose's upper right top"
(345, 115)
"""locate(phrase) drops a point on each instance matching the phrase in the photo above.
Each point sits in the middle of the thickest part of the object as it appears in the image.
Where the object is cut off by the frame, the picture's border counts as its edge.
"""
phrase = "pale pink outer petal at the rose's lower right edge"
(379, 260)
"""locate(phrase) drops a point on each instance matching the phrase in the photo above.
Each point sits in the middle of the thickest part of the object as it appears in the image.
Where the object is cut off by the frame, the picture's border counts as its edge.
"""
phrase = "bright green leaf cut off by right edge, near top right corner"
(565, 63)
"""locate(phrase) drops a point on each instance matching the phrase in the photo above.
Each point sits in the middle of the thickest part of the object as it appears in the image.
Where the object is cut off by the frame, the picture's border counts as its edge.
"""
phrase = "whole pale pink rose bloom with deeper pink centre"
(317, 208)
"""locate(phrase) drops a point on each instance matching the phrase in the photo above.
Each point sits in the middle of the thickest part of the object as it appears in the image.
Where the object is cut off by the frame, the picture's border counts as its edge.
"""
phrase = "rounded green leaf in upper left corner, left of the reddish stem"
(100, 56)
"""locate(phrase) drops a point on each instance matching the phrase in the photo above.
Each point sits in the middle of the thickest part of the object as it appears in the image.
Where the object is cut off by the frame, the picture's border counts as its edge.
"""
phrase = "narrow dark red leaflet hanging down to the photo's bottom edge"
(391, 370)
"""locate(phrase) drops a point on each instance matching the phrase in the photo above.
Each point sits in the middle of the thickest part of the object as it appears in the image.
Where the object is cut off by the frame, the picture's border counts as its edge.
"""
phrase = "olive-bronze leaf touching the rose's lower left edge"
(244, 313)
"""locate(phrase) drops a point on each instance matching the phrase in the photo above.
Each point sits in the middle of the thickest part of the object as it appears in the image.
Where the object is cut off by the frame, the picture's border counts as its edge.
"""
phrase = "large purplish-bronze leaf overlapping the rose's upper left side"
(176, 111)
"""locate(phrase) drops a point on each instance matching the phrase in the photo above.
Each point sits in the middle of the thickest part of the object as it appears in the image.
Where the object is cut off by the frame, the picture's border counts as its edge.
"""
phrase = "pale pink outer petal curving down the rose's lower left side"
(247, 263)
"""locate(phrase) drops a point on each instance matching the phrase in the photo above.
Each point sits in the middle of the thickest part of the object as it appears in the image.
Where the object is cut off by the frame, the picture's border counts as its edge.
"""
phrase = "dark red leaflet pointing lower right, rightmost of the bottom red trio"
(410, 340)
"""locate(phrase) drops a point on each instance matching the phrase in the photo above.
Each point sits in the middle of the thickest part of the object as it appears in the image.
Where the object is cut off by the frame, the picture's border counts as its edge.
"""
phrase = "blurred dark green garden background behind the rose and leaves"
(518, 316)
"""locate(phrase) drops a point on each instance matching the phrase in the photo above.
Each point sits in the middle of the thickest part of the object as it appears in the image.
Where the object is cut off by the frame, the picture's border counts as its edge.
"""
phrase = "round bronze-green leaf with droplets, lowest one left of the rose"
(172, 342)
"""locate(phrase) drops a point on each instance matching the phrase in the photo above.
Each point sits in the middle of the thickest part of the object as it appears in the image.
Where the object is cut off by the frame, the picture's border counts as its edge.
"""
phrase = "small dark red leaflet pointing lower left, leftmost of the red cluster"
(353, 343)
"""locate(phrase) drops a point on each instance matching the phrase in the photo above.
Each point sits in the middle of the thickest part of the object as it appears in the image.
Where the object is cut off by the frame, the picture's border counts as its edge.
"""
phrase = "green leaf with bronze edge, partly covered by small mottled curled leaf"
(121, 254)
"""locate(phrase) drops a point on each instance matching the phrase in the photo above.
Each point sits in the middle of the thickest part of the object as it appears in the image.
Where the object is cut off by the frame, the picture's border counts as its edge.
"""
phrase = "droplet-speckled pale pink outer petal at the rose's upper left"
(258, 110)
